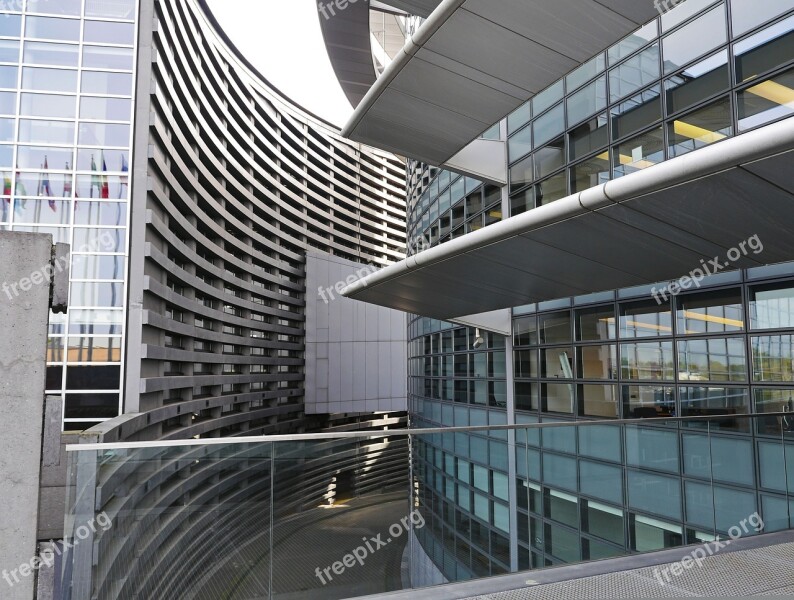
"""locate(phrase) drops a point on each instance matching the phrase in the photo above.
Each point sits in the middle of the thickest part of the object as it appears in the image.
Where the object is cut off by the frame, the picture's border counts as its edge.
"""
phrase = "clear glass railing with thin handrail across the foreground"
(346, 515)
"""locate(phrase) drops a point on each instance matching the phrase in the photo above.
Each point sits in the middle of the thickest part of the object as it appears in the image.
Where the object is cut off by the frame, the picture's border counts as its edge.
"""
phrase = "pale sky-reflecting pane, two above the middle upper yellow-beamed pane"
(695, 39)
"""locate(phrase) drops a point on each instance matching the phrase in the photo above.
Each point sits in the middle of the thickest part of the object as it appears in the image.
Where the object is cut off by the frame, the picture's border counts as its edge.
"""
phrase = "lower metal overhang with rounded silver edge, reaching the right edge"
(653, 225)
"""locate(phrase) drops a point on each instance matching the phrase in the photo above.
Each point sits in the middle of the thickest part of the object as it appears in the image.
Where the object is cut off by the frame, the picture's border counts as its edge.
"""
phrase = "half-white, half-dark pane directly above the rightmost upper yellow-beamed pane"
(764, 51)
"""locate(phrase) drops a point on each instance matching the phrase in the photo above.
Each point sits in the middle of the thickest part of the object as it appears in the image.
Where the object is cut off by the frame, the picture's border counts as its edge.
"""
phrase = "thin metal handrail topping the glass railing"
(308, 437)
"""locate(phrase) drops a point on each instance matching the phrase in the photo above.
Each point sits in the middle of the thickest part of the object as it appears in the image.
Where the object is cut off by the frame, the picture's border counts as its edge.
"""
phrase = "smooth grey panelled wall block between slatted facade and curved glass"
(356, 353)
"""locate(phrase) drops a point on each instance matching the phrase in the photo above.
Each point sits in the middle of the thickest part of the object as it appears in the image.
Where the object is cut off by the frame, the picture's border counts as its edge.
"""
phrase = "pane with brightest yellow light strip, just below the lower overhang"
(712, 312)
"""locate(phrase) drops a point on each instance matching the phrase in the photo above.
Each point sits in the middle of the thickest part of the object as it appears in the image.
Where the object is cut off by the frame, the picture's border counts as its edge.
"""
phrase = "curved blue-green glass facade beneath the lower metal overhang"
(720, 352)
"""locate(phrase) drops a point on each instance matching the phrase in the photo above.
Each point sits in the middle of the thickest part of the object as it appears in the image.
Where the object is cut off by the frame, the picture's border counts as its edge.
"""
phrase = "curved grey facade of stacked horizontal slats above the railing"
(232, 184)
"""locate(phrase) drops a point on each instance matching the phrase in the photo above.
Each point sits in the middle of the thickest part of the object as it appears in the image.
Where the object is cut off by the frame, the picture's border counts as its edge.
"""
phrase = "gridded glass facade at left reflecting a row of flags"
(66, 115)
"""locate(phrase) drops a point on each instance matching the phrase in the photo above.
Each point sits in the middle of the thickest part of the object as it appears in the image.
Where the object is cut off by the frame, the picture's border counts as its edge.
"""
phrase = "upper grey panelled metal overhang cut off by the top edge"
(474, 61)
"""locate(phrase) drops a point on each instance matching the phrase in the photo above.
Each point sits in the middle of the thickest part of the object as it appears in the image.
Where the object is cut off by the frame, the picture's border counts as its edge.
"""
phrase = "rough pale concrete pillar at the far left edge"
(24, 312)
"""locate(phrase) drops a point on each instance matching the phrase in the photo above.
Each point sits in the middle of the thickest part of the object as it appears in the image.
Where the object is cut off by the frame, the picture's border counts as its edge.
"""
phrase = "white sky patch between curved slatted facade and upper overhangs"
(282, 39)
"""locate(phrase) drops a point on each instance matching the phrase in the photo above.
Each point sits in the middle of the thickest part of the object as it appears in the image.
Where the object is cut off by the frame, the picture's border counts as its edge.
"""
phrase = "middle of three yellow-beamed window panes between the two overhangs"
(700, 128)
